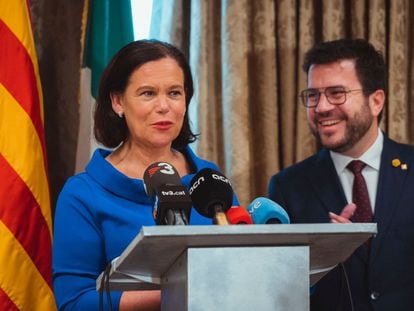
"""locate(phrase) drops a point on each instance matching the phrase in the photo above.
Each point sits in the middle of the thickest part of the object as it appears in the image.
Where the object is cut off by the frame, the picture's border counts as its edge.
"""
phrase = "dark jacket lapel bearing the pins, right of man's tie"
(390, 185)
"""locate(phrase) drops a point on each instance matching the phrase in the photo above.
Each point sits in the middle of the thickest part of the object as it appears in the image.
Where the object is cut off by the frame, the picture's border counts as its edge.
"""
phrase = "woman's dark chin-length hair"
(109, 129)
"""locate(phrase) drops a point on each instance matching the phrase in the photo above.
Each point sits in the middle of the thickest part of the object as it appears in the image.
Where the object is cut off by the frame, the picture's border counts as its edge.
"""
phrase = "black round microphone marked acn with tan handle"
(212, 194)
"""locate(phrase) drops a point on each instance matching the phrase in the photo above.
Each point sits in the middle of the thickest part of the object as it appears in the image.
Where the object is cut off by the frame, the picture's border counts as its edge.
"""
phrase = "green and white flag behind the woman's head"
(107, 27)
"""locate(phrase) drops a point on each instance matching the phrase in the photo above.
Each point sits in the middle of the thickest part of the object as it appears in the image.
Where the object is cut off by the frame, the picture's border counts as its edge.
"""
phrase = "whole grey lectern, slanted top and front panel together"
(235, 267)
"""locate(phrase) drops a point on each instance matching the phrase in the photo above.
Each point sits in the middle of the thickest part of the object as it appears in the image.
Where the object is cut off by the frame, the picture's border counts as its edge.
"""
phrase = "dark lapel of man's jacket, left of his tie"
(324, 181)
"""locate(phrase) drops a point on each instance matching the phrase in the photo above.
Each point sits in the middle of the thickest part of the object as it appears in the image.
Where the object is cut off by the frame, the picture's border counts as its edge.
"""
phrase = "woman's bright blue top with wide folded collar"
(98, 214)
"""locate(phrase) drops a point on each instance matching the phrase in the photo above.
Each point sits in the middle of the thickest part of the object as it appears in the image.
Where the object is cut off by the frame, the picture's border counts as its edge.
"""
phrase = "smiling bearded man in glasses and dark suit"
(344, 102)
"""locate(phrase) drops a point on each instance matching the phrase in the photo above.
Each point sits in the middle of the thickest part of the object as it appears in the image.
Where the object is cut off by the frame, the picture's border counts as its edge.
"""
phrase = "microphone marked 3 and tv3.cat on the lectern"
(172, 201)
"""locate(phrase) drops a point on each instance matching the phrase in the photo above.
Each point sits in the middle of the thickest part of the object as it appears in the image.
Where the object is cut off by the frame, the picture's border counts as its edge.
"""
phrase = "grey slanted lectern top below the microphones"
(155, 249)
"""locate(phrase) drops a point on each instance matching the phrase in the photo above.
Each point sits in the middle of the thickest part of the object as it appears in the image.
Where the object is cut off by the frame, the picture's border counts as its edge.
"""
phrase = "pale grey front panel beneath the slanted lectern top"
(238, 278)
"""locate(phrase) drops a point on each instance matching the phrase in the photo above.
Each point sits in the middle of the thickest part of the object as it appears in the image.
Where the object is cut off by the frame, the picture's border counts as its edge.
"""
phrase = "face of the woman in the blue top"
(153, 103)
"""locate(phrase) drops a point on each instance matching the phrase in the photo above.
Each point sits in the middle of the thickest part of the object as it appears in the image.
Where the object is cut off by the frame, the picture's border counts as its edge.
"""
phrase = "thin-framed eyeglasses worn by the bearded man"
(336, 95)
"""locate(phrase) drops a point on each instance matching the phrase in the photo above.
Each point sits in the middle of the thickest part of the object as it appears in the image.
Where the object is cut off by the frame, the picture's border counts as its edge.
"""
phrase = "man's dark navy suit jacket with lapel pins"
(383, 280)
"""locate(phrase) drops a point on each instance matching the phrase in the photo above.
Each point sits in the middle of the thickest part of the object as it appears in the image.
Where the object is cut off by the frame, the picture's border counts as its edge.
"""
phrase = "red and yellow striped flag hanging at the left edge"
(25, 211)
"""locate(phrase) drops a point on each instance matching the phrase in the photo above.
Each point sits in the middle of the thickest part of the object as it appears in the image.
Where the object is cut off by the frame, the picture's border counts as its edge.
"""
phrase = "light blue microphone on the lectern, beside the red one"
(266, 211)
